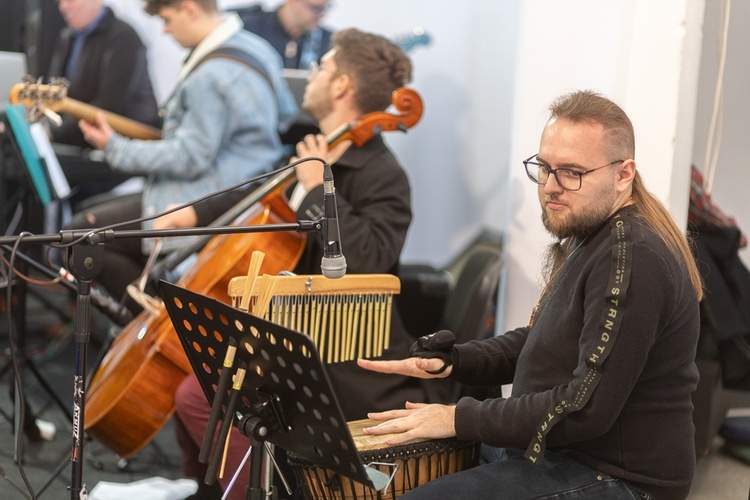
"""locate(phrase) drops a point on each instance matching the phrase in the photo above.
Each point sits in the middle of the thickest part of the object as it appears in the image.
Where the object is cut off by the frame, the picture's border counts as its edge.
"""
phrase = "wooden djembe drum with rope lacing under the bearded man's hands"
(411, 465)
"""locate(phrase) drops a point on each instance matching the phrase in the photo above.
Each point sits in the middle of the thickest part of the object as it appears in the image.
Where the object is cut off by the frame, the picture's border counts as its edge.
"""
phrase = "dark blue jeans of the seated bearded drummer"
(511, 476)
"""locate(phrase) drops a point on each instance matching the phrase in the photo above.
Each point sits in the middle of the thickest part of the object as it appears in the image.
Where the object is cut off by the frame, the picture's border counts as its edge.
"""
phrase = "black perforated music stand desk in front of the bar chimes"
(280, 362)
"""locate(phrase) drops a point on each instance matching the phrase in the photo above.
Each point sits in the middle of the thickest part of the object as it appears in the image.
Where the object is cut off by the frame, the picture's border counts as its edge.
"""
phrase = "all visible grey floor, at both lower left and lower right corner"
(47, 464)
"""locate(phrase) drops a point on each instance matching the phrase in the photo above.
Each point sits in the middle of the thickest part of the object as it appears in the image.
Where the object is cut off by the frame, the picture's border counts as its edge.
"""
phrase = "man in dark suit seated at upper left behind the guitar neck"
(106, 66)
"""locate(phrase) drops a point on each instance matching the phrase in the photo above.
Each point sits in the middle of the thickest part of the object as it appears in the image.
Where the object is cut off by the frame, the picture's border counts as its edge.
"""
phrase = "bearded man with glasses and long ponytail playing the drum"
(603, 373)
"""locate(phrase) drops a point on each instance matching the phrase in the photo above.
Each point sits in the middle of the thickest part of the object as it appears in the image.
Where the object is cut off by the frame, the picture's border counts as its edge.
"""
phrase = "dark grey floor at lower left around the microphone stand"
(47, 465)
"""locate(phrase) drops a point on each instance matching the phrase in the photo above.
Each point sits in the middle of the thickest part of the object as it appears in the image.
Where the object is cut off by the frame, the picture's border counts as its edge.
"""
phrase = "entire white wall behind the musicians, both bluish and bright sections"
(486, 79)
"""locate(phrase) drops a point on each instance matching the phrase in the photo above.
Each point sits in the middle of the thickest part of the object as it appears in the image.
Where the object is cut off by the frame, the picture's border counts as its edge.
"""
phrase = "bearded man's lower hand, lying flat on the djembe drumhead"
(416, 421)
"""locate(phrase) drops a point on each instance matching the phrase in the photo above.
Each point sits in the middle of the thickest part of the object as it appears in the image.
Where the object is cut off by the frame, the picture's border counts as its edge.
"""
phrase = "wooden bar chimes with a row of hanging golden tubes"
(347, 318)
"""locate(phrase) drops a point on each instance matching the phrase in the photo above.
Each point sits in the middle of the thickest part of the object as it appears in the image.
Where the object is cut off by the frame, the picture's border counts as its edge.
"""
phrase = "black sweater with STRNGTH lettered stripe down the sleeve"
(635, 419)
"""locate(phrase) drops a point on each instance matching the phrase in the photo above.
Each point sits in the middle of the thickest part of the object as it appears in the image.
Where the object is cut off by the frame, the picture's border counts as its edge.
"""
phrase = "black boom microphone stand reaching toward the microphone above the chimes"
(84, 261)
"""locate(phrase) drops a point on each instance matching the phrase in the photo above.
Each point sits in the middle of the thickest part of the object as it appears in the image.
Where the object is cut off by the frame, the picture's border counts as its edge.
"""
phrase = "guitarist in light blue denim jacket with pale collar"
(221, 127)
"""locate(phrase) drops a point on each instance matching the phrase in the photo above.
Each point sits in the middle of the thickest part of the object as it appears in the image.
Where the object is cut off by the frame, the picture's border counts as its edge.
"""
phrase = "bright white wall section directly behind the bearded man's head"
(640, 53)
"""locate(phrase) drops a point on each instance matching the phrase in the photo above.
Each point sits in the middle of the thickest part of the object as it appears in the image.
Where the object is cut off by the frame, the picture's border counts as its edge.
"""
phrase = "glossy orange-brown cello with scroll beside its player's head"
(131, 395)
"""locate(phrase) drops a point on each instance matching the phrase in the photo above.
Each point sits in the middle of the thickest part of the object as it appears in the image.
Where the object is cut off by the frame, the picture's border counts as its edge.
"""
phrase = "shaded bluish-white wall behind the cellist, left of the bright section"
(457, 156)
